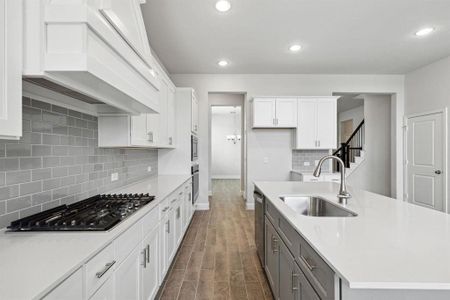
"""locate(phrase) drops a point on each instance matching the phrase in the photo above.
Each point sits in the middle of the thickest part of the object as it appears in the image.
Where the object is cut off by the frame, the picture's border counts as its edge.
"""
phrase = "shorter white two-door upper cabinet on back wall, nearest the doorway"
(274, 112)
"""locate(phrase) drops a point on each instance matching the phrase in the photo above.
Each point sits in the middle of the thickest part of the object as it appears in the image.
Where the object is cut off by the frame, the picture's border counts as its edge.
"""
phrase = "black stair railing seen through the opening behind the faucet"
(352, 147)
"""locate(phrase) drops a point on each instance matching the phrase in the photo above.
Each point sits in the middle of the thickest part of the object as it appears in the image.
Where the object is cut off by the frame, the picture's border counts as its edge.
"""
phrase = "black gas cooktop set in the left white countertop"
(98, 213)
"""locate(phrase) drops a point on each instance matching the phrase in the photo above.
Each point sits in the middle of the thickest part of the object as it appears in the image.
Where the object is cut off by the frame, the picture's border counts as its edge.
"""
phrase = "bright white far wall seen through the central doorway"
(225, 154)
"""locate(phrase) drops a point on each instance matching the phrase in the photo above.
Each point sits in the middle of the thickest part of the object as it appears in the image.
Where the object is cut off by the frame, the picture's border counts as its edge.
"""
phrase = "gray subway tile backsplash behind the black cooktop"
(57, 161)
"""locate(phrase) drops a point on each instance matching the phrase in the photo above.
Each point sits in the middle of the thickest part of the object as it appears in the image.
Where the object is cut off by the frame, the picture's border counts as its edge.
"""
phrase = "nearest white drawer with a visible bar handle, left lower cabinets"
(99, 269)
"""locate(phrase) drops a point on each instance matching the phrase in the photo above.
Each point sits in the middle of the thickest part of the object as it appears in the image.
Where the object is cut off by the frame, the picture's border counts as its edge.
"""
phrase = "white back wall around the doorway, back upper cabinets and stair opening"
(276, 144)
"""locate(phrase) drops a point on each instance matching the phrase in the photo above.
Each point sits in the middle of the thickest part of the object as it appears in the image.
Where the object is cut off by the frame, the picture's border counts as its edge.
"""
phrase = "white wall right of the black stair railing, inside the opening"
(374, 174)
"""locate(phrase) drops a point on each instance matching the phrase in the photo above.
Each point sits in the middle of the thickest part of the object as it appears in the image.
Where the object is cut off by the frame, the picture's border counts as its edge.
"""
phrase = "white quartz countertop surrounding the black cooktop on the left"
(31, 264)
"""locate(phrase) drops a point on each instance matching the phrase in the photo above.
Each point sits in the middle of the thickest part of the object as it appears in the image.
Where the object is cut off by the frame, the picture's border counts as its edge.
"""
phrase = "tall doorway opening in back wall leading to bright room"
(227, 141)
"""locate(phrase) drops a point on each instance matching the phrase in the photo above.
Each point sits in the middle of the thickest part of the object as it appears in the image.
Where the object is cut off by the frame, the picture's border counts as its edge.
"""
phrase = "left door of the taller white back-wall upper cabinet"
(306, 130)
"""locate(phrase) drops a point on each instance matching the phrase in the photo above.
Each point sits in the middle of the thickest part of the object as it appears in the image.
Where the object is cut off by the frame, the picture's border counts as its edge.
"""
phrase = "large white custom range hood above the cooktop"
(94, 51)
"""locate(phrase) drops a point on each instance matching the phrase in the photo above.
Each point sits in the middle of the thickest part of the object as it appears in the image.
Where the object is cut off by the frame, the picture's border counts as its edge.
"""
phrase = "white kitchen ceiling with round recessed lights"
(338, 36)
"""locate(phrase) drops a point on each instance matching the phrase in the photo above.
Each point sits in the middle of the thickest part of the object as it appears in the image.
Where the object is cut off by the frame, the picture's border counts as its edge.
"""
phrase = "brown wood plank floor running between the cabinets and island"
(217, 258)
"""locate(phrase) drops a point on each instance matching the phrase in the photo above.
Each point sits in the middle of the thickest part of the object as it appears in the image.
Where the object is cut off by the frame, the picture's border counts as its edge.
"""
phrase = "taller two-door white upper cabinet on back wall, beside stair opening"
(317, 123)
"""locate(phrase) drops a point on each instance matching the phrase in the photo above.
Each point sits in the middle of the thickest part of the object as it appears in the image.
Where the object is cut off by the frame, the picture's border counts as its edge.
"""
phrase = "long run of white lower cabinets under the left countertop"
(134, 265)
